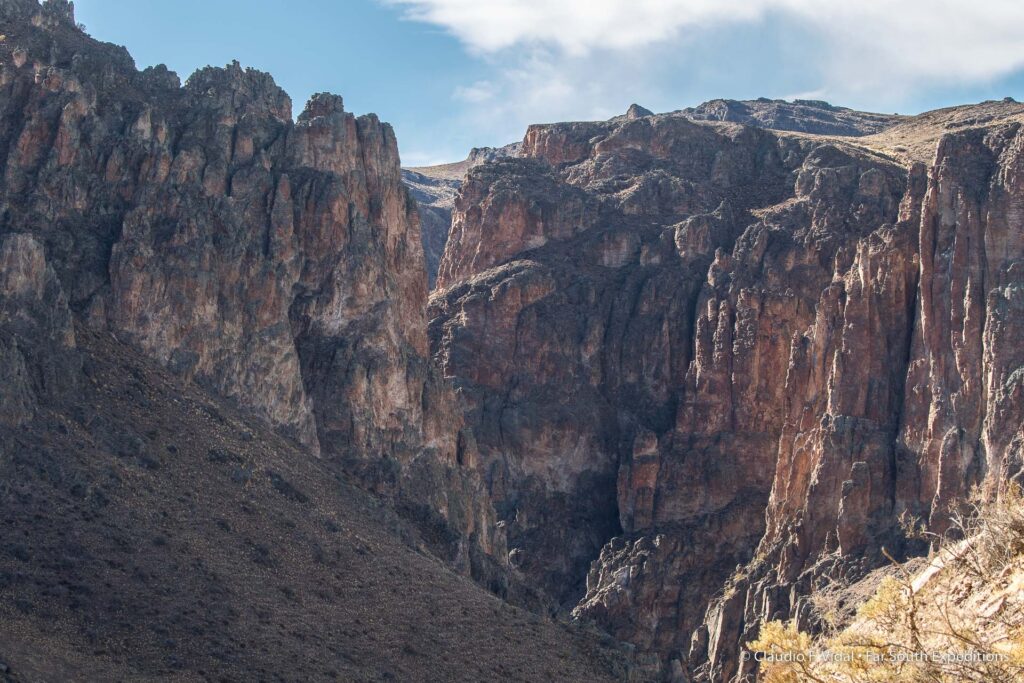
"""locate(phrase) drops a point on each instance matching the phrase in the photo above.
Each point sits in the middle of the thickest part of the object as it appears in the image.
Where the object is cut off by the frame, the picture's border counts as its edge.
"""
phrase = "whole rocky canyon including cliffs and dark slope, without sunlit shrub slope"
(662, 376)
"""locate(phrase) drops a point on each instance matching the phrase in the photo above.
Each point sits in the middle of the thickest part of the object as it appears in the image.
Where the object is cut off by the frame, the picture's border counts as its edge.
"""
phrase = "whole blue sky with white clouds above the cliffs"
(451, 75)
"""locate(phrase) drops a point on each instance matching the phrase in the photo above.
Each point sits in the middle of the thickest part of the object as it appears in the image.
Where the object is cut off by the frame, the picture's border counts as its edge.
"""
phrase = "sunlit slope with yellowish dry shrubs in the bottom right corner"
(959, 619)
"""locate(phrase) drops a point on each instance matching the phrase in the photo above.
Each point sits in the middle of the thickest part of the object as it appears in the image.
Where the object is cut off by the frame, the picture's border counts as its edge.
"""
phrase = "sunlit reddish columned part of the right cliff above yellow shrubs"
(921, 379)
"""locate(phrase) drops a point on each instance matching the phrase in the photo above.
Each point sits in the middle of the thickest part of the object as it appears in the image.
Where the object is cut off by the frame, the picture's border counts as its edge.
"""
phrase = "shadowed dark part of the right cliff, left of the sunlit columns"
(620, 328)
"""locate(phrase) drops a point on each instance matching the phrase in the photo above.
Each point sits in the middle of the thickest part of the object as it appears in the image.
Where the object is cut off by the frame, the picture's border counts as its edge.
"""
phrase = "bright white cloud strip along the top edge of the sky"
(954, 40)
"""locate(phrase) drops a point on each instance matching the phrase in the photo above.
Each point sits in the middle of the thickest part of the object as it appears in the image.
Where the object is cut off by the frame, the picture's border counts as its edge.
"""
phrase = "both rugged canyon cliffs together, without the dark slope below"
(678, 370)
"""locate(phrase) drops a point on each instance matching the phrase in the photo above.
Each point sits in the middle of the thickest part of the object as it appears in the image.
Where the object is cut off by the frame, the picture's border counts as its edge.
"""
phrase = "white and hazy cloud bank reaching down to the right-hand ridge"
(574, 59)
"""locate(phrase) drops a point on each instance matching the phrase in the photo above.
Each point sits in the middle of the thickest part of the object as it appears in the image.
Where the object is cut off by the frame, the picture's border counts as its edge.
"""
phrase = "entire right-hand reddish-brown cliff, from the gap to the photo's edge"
(755, 350)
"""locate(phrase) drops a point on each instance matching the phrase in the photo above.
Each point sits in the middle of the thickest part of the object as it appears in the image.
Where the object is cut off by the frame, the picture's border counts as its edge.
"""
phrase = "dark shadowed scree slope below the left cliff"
(151, 533)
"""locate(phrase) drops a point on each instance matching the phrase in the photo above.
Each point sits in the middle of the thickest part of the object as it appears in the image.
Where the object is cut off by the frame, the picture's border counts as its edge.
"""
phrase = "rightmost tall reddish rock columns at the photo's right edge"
(963, 361)
